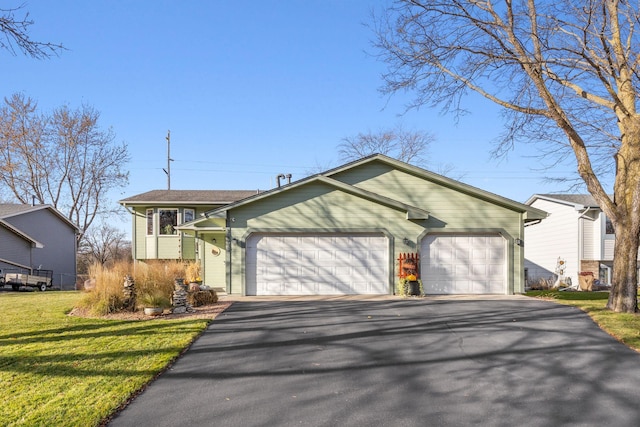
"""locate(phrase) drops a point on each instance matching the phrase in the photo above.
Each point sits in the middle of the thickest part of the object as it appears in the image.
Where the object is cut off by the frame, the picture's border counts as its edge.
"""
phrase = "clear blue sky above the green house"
(248, 89)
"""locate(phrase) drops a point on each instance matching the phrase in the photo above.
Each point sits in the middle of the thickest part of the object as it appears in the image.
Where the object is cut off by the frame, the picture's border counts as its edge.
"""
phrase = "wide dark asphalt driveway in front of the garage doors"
(412, 362)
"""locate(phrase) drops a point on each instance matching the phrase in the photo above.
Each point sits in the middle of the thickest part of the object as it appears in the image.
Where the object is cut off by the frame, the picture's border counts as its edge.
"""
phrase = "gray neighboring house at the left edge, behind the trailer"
(38, 236)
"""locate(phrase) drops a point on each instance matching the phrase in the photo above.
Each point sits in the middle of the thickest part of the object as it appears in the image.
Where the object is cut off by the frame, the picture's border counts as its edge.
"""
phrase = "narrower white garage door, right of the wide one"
(464, 264)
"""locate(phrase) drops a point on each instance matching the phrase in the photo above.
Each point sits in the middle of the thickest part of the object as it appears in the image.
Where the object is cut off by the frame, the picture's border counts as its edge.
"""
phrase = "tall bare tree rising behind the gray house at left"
(64, 159)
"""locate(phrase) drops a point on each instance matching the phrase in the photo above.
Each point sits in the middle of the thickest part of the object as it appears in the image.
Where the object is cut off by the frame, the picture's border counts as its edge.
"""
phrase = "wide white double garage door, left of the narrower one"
(319, 264)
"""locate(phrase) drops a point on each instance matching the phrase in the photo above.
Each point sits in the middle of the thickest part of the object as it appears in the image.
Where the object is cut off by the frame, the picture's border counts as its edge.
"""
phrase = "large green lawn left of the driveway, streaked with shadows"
(62, 370)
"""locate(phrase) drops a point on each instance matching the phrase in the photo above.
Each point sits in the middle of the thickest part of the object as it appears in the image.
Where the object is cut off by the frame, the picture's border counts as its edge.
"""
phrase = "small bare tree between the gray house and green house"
(104, 245)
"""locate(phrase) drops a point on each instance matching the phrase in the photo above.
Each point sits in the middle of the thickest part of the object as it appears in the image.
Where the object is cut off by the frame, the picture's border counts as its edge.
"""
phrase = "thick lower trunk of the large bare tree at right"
(624, 289)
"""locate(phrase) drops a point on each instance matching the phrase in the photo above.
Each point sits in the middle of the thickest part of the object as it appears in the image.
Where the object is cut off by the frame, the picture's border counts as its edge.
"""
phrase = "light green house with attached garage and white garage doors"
(343, 231)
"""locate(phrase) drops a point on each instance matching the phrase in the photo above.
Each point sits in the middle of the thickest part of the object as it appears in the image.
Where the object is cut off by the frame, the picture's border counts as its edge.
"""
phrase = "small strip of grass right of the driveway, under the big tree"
(623, 326)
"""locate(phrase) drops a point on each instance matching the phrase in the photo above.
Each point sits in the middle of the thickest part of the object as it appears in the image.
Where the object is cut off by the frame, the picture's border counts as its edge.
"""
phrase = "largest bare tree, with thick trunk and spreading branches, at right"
(567, 75)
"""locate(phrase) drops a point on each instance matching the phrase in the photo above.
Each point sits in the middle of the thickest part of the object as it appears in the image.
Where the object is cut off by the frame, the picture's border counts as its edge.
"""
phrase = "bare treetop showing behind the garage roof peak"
(406, 146)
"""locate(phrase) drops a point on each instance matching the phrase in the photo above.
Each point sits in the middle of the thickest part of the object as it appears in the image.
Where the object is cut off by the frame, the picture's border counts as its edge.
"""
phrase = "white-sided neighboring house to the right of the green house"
(576, 231)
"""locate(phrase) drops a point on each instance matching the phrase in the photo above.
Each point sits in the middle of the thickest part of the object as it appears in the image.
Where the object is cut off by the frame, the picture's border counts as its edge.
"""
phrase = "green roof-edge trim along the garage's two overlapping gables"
(413, 212)
